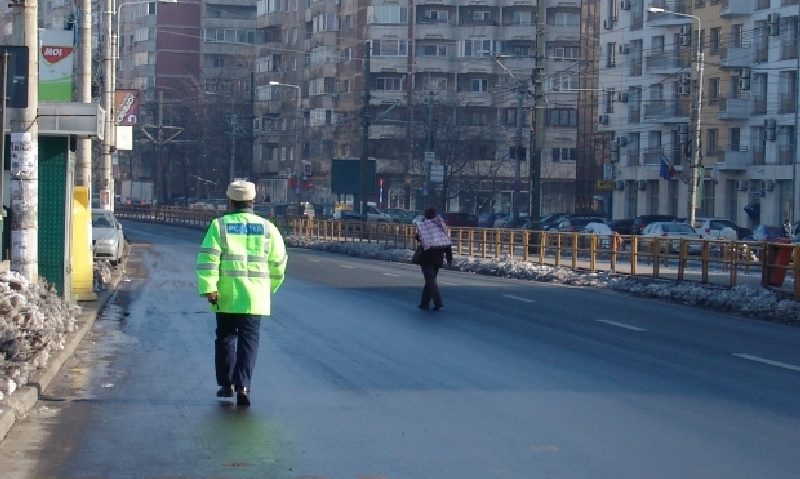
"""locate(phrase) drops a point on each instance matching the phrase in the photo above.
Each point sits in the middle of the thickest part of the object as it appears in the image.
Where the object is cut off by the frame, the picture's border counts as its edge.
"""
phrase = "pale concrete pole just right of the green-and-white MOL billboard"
(83, 158)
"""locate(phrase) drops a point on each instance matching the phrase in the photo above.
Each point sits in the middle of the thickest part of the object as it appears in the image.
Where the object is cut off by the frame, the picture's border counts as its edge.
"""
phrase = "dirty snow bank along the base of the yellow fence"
(749, 301)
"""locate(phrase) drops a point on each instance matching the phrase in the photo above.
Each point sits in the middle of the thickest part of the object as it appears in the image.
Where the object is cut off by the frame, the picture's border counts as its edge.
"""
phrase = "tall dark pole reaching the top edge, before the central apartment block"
(537, 116)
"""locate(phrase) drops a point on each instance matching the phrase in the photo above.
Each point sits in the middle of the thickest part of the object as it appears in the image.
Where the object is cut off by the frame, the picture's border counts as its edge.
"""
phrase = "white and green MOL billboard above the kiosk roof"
(55, 65)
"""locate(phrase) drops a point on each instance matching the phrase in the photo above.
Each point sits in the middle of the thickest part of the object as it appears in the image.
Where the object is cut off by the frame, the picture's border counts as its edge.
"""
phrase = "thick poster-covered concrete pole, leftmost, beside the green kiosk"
(25, 150)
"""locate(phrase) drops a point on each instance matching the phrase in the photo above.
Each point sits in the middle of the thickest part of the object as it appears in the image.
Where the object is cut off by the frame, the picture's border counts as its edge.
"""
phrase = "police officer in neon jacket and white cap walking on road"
(241, 261)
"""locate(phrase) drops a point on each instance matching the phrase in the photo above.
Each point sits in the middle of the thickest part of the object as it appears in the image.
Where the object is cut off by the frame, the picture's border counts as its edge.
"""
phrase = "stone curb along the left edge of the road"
(17, 404)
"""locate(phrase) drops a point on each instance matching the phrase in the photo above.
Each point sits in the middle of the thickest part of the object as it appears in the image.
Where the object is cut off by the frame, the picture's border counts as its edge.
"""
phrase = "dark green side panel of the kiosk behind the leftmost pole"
(53, 154)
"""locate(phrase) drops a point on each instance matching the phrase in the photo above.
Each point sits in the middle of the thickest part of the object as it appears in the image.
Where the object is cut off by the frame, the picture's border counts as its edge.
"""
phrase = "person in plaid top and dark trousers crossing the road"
(432, 233)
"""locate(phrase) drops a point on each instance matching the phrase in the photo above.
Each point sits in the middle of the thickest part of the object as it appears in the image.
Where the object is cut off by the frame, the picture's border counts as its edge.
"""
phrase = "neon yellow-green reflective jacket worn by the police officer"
(242, 259)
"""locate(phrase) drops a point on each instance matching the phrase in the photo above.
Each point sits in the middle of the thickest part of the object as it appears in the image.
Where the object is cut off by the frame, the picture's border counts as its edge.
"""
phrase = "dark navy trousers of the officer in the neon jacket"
(236, 348)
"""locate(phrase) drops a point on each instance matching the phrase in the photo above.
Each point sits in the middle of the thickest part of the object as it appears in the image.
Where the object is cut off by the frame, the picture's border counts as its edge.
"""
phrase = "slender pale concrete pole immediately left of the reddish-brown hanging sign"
(106, 180)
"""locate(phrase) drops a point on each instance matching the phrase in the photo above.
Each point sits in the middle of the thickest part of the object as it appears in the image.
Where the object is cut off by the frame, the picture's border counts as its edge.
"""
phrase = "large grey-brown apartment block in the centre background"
(446, 77)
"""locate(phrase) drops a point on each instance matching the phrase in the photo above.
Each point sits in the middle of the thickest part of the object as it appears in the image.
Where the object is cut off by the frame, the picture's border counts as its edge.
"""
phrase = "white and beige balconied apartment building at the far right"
(747, 124)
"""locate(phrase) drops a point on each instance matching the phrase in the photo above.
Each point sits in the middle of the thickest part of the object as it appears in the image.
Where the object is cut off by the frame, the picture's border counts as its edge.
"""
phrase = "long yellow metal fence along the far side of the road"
(725, 263)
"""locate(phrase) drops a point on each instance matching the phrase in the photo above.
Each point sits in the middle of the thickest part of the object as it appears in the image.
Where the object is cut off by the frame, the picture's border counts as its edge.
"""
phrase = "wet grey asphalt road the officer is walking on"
(511, 379)
